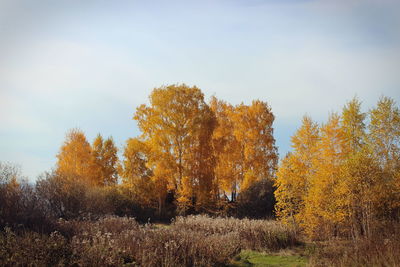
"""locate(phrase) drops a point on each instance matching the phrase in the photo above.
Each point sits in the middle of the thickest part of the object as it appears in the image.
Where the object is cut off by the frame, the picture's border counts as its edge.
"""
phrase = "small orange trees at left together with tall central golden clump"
(191, 156)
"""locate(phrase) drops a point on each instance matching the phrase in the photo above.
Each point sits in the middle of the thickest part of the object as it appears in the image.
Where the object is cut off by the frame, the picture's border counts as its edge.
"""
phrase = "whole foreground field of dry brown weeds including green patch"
(187, 241)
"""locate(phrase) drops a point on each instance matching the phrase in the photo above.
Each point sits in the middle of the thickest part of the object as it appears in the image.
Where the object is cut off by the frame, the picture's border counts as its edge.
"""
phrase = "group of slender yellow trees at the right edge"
(343, 176)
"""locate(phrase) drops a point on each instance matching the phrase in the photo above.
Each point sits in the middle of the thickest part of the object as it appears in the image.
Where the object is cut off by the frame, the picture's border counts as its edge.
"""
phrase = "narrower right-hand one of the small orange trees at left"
(105, 154)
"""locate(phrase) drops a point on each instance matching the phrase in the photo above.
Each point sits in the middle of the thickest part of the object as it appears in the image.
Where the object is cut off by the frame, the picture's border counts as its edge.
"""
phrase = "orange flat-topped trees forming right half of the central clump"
(243, 144)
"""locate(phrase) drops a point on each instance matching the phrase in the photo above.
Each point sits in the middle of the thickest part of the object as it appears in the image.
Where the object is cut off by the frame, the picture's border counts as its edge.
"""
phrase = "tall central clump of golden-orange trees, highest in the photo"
(199, 152)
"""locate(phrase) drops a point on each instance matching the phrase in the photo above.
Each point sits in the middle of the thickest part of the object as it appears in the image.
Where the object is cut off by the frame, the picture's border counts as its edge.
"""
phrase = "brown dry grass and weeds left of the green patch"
(113, 241)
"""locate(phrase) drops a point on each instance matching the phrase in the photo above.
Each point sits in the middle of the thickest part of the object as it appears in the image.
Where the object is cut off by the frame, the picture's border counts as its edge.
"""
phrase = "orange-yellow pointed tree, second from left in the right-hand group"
(325, 206)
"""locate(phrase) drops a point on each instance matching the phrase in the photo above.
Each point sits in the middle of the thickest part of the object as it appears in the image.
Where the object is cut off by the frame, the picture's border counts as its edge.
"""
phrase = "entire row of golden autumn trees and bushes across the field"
(341, 179)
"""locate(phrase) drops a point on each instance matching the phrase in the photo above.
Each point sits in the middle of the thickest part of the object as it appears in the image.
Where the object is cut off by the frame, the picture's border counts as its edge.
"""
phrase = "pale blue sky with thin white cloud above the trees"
(89, 64)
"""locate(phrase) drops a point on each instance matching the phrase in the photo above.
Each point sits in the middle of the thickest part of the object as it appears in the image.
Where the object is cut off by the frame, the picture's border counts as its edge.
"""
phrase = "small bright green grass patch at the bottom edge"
(253, 258)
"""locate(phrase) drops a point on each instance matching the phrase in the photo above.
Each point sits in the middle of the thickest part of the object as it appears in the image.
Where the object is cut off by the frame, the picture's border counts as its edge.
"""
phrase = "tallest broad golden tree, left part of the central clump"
(177, 126)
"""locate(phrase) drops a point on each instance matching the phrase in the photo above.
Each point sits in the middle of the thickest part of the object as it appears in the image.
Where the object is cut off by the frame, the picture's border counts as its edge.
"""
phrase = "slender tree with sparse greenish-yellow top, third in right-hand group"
(359, 173)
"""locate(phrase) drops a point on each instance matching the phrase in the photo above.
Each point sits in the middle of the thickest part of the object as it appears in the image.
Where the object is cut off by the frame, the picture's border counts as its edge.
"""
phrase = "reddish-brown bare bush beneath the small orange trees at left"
(69, 198)
